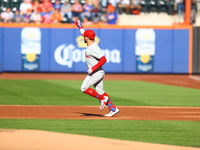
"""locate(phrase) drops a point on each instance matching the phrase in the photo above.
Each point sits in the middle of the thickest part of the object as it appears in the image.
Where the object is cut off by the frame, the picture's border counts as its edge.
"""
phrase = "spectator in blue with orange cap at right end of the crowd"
(111, 15)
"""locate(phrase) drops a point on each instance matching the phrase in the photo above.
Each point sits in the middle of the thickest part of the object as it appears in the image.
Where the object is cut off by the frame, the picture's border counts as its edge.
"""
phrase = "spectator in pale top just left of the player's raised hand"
(66, 10)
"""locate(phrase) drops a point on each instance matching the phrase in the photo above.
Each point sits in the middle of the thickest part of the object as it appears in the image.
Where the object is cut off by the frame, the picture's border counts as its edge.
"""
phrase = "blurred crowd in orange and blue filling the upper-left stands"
(47, 12)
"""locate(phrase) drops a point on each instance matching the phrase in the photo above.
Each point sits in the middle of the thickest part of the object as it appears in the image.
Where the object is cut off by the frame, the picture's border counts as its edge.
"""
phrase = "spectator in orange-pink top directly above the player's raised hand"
(77, 9)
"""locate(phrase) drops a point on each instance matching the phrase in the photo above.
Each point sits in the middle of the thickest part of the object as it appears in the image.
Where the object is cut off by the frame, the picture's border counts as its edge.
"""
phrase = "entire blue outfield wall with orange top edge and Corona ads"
(44, 48)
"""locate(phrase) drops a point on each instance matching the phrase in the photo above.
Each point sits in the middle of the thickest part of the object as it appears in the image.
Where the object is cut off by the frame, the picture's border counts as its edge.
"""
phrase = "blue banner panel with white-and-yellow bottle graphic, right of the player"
(148, 52)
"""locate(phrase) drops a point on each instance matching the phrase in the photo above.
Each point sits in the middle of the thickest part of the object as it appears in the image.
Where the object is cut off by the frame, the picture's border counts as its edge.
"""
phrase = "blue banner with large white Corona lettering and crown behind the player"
(68, 50)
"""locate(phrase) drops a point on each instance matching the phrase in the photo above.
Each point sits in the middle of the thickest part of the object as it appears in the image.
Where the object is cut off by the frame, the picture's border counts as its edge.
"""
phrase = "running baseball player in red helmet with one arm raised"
(95, 59)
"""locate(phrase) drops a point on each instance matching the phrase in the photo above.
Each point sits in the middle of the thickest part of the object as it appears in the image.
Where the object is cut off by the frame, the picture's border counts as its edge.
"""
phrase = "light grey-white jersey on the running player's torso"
(92, 54)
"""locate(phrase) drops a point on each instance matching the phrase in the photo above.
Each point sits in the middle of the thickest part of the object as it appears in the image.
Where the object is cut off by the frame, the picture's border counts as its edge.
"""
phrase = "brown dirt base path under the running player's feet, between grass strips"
(92, 112)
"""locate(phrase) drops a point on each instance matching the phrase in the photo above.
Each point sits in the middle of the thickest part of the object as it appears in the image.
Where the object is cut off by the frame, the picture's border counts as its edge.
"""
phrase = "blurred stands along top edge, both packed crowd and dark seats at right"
(88, 11)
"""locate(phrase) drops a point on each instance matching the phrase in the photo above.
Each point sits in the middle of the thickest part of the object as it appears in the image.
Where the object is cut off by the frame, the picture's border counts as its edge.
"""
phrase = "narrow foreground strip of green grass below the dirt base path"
(185, 133)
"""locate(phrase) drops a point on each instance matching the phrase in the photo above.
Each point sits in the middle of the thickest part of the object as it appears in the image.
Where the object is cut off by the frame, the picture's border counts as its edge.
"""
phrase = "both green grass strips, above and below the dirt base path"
(123, 93)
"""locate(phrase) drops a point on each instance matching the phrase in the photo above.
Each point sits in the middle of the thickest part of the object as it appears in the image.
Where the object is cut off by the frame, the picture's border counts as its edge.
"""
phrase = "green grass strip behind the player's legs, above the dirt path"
(123, 93)
